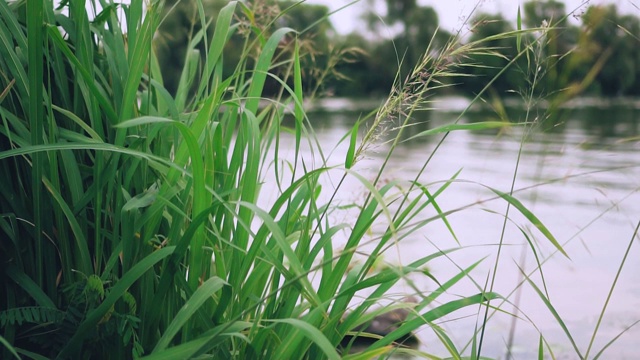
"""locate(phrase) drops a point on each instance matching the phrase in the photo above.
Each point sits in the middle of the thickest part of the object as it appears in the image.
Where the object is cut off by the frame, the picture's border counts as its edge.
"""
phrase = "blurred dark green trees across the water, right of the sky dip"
(598, 57)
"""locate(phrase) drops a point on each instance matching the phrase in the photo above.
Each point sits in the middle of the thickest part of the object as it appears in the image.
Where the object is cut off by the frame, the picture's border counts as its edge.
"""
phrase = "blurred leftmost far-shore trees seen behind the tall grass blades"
(181, 23)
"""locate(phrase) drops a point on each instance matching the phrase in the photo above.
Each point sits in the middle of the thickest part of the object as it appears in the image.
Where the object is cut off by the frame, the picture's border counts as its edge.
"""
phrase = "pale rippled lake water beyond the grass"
(581, 178)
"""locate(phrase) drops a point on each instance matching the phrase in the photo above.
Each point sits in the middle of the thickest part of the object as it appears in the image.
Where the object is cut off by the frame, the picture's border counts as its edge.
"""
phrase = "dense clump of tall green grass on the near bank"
(131, 220)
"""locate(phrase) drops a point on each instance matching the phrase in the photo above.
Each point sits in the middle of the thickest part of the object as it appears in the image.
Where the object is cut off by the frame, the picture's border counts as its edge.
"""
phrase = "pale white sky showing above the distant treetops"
(452, 13)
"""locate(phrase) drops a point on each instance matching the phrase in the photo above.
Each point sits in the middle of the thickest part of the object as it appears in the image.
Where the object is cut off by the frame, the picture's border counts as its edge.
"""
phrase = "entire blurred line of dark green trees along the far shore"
(600, 56)
